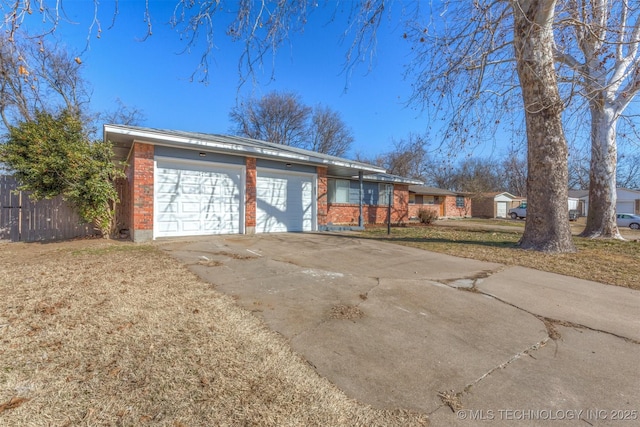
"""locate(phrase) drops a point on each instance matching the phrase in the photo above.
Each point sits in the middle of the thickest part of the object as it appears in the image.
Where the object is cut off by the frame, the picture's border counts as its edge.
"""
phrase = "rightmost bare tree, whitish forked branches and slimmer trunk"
(598, 41)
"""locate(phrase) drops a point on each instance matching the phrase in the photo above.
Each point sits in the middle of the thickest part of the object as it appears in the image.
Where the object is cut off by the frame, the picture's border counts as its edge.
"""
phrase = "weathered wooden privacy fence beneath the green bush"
(23, 220)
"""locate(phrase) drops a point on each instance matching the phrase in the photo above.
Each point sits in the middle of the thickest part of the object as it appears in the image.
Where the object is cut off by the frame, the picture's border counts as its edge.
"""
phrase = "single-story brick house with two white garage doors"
(187, 183)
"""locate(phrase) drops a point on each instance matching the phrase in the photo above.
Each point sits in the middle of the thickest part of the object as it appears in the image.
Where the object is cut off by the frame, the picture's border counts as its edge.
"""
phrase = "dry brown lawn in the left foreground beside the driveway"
(106, 333)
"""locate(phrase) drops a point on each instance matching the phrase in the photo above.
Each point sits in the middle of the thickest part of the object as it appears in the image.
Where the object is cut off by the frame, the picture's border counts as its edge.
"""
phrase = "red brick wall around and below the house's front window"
(343, 213)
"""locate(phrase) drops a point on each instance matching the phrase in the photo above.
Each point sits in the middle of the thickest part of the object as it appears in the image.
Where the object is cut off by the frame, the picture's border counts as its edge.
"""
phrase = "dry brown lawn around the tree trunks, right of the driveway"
(612, 262)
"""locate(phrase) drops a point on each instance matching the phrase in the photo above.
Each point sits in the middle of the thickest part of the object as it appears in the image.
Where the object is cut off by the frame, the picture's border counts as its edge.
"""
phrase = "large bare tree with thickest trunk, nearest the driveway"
(468, 60)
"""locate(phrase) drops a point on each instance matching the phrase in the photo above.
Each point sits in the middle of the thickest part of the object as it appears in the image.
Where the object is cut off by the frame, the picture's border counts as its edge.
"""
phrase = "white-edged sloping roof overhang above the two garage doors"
(123, 138)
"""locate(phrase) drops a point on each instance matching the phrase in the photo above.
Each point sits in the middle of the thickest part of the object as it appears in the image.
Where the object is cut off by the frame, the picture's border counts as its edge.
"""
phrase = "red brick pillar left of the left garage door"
(140, 174)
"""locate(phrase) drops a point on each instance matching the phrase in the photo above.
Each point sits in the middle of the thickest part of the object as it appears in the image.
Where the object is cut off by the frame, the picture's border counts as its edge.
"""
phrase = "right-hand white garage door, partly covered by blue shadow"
(285, 201)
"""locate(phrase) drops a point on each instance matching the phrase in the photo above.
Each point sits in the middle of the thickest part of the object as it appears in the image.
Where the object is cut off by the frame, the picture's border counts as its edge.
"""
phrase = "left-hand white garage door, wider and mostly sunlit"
(197, 198)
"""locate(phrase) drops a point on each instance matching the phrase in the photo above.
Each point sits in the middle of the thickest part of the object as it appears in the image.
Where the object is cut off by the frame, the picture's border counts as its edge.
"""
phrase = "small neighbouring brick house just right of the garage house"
(444, 203)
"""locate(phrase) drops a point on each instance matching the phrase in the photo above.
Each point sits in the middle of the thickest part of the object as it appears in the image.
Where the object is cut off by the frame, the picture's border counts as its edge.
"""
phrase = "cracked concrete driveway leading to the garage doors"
(461, 340)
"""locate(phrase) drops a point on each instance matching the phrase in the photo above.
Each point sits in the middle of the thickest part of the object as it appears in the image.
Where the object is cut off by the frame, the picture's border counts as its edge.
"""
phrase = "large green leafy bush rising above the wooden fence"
(52, 155)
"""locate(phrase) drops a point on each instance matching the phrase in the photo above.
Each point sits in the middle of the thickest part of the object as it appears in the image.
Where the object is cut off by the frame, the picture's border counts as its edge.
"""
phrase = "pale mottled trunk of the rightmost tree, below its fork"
(601, 217)
